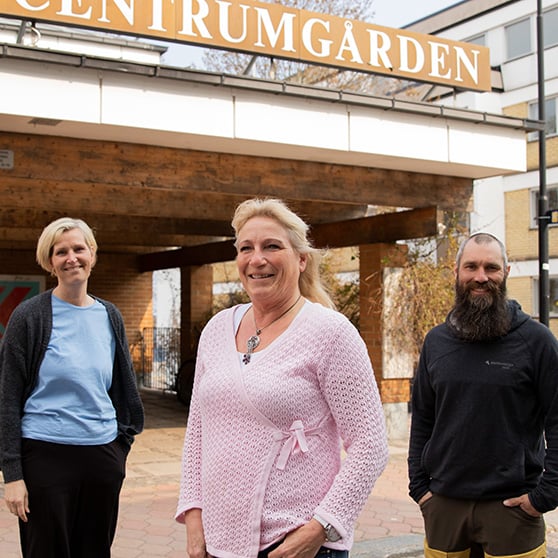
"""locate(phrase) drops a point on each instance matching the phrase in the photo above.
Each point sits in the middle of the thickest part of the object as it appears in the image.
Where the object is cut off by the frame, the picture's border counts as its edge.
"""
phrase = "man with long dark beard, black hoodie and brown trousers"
(483, 449)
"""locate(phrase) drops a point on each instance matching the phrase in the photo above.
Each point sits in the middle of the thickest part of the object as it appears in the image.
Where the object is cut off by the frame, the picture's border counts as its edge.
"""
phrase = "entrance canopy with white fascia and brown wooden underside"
(156, 157)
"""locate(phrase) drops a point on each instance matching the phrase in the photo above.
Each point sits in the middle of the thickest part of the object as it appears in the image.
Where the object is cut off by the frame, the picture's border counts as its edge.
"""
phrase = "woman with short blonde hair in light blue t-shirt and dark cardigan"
(69, 405)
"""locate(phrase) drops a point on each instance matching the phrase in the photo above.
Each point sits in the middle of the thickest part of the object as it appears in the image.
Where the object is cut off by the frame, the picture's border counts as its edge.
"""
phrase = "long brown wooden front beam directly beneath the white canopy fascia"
(178, 171)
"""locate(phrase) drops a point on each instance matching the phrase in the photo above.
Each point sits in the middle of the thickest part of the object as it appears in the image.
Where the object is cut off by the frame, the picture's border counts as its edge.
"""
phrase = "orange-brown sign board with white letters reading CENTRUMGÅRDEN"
(277, 31)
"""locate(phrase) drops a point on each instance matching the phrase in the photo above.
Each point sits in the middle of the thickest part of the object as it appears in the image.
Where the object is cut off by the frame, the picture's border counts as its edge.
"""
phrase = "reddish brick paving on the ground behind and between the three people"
(146, 527)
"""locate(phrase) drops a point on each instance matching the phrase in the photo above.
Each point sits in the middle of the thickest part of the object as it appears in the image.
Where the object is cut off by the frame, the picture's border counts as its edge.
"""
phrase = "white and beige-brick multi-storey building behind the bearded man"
(507, 205)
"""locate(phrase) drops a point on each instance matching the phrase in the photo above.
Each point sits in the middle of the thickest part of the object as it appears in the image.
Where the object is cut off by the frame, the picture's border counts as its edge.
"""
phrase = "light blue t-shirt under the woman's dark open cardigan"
(70, 403)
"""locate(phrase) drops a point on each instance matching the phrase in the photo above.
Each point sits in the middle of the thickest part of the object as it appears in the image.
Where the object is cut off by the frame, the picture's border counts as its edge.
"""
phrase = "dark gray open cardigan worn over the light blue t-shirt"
(22, 350)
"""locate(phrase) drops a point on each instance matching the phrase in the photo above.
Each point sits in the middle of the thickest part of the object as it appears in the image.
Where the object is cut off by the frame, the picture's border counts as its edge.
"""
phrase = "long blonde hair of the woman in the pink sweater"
(310, 282)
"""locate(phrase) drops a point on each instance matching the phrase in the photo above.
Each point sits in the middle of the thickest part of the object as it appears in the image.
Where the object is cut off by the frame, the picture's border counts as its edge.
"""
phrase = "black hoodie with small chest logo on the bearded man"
(480, 414)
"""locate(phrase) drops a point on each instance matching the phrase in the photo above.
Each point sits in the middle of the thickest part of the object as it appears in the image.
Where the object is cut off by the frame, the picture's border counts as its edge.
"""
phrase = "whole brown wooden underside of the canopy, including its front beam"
(146, 199)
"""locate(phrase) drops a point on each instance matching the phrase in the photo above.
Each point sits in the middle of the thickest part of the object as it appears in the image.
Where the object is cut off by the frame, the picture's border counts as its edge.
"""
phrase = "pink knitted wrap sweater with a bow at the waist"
(262, 450)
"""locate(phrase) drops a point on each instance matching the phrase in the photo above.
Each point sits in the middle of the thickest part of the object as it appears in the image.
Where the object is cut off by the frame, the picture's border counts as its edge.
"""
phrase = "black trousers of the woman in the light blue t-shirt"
(73, 498)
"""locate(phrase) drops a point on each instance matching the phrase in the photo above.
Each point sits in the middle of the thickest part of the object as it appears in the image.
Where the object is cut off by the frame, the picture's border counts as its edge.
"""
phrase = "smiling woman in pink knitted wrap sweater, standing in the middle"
(282, 386)
